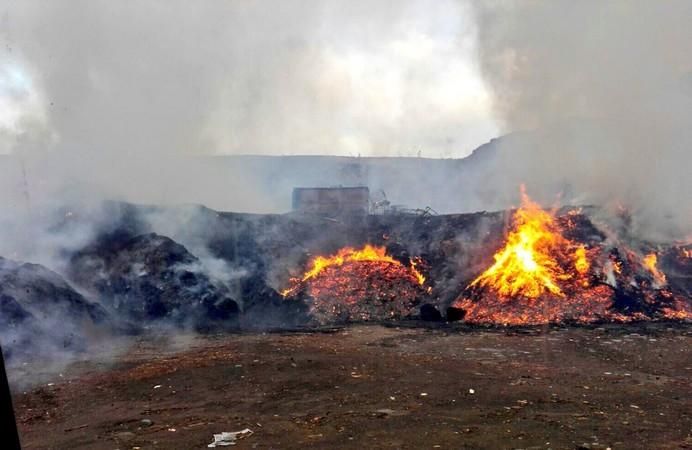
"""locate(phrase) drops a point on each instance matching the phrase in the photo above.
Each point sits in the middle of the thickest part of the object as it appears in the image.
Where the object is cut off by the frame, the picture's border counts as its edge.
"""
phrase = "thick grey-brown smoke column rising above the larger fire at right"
(604, 90)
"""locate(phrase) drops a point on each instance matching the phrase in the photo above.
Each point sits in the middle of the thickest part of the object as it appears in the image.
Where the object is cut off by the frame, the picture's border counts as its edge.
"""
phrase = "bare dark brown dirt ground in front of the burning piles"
(379, 387)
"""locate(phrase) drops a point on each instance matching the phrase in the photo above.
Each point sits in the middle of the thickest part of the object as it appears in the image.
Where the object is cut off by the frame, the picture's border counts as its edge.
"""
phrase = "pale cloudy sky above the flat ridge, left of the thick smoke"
(291, 77)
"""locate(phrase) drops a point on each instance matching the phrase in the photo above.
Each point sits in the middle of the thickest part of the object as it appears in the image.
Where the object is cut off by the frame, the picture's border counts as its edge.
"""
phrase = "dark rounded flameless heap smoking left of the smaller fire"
(150, 277)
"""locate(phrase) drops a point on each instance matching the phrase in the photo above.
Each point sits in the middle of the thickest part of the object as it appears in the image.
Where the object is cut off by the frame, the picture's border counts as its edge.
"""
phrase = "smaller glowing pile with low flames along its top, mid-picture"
(359, 285)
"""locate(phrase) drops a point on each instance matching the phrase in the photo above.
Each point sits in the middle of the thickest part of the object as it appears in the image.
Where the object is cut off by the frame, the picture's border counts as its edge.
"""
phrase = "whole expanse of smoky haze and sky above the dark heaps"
(109, 100)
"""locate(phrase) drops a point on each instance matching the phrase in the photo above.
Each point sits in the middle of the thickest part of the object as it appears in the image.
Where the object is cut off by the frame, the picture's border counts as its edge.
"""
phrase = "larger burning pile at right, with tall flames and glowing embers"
(541, 275)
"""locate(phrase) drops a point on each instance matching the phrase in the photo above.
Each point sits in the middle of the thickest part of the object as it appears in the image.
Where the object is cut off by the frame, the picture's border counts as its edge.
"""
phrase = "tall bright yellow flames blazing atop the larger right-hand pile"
(527, 265)
